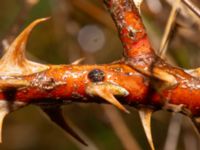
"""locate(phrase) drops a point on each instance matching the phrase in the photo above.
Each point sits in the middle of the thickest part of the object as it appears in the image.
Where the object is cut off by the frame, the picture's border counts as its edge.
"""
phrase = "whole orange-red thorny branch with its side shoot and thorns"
(141, 79)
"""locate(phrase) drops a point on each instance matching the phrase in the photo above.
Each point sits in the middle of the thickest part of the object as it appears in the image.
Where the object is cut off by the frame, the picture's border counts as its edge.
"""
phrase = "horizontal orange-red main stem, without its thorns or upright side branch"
(63, 84)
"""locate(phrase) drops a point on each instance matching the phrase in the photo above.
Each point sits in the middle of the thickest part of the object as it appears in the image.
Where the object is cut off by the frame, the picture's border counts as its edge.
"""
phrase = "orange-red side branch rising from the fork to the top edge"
(131, 32)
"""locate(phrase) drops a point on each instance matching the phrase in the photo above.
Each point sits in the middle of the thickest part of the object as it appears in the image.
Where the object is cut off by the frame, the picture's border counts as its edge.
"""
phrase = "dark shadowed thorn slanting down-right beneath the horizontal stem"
(56, 115)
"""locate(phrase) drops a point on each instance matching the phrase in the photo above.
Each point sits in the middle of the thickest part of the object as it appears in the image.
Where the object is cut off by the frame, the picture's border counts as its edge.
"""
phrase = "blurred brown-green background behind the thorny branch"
(83, 28)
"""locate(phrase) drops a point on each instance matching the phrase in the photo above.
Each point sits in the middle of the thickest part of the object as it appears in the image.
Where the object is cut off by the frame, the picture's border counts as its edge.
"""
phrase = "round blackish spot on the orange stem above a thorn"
(96, 75)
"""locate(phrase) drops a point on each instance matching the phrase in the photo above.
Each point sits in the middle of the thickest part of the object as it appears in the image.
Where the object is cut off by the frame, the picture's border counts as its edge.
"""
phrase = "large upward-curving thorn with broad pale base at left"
(14, 61)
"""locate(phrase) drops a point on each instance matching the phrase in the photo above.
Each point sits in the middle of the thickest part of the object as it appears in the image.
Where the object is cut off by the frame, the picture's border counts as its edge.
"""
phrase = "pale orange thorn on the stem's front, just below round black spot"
(107, 92)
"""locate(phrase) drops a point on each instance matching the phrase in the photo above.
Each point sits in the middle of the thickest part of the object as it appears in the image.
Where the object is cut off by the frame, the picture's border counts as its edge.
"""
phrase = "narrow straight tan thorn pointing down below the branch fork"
(145, 116)
